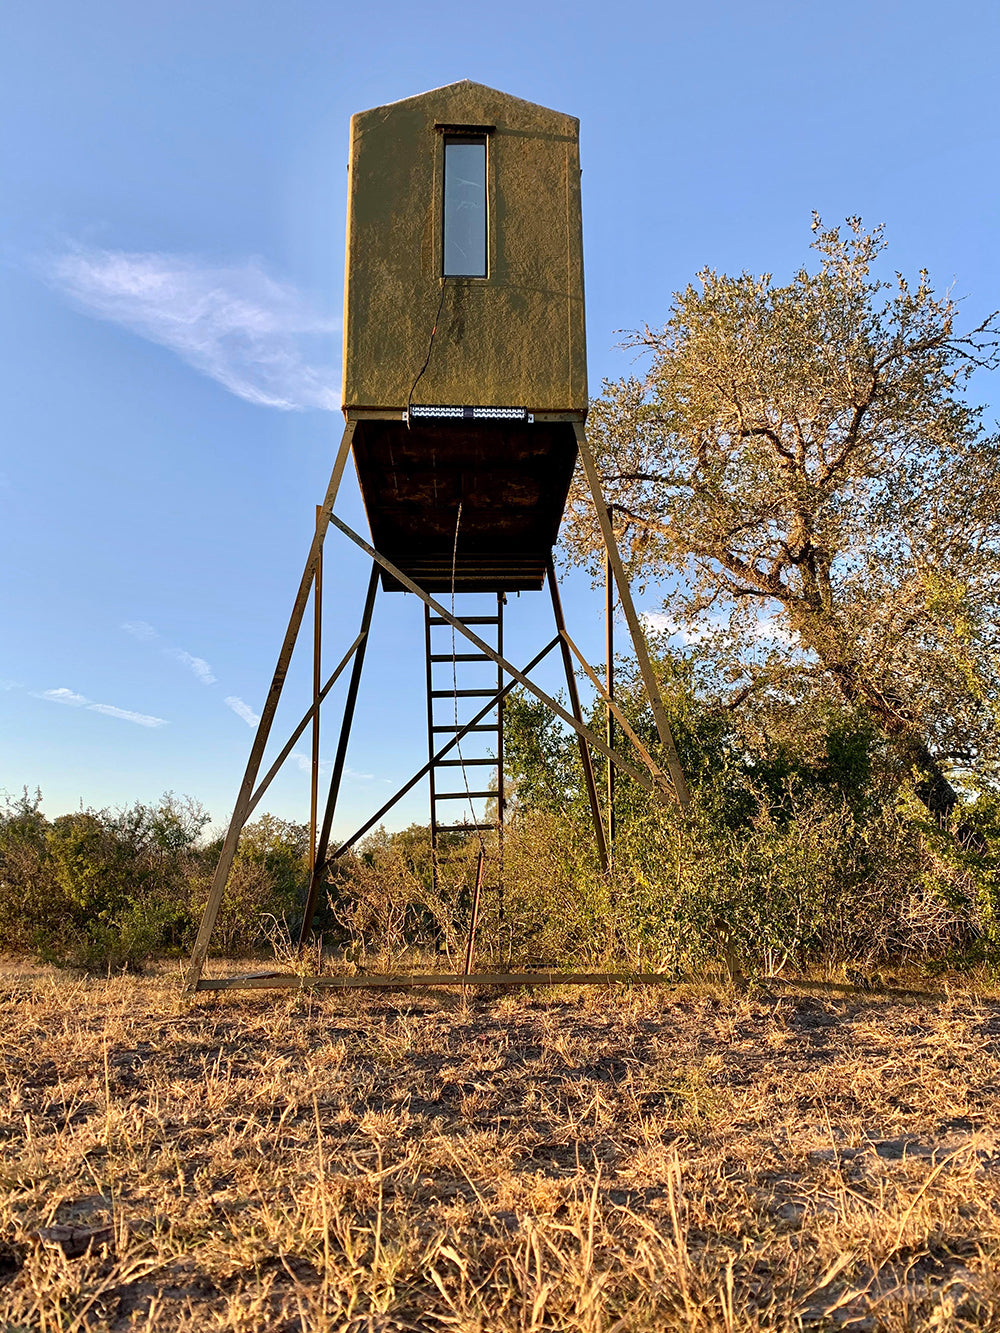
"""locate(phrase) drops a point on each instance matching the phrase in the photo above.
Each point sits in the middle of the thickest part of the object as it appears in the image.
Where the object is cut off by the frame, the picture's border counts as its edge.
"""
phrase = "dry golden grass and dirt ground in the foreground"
(609, 1160)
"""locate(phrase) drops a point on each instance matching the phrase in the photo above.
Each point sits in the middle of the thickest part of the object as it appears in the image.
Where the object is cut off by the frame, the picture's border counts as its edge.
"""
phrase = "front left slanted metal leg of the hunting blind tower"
(267, 716)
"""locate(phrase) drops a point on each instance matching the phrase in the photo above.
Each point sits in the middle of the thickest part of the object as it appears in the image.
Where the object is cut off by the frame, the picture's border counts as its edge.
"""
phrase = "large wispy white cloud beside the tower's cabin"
(257, 337)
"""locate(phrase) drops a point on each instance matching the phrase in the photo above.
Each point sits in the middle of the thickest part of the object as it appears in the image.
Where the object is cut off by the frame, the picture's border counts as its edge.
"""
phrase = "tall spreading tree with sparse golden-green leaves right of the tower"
(803, 463)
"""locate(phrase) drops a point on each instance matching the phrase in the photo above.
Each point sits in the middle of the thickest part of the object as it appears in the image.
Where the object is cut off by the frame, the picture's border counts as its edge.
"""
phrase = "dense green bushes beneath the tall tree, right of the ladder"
(806, 846)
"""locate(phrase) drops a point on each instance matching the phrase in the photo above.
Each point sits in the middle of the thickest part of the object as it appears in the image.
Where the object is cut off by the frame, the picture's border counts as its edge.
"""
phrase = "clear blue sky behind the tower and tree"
(171, 257)
